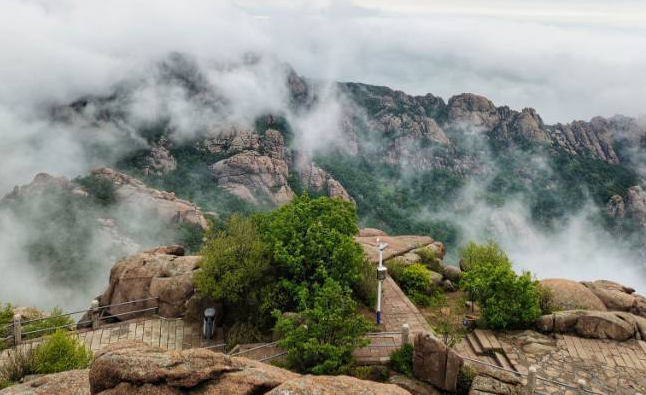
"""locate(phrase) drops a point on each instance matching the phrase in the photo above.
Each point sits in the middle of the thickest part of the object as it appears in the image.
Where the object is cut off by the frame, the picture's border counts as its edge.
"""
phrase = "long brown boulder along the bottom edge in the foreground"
(131, 367)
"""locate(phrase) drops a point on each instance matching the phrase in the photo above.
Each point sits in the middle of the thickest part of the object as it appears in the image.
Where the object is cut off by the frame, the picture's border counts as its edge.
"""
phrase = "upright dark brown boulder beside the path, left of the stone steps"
(435, 363)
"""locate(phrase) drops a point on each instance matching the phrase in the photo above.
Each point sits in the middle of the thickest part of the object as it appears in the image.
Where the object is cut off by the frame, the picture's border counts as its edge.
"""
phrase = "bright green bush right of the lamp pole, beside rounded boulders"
(506, 300)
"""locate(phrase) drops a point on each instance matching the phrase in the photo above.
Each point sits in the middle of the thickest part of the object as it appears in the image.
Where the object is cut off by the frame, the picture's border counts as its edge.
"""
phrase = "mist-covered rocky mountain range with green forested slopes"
(563, 199)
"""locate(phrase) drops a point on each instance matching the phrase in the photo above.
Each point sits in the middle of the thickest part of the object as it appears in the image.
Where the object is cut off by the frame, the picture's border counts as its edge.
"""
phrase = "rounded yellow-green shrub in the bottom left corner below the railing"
(60, 352)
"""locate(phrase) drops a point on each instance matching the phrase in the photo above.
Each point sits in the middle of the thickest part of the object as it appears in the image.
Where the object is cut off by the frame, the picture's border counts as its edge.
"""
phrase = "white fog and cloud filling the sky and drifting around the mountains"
(568, 63)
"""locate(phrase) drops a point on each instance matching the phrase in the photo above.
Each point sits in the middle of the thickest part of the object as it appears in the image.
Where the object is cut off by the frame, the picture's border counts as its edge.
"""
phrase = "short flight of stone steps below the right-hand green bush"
(484, 346)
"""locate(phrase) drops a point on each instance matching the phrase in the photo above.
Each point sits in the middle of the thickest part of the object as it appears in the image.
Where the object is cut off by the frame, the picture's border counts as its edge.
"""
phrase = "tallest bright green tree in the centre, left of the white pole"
(311, 240)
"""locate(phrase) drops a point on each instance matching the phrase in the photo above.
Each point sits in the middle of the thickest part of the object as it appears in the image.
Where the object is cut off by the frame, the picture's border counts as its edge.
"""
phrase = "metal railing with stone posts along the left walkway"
(95, 311)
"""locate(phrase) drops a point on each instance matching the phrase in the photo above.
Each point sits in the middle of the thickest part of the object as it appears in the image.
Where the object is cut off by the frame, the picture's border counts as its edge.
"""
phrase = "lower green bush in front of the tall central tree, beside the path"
(321, 338)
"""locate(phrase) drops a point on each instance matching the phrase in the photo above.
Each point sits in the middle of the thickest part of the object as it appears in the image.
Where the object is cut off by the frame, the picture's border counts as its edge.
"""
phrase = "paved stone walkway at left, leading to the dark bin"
(169, 334)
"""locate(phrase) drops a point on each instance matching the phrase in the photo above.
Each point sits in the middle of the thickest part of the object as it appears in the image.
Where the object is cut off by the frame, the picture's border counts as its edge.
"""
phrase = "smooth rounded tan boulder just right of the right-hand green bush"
(571, 295)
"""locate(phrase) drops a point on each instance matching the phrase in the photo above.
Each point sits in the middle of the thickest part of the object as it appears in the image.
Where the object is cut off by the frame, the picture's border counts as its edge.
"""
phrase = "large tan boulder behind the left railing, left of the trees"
(159, 273)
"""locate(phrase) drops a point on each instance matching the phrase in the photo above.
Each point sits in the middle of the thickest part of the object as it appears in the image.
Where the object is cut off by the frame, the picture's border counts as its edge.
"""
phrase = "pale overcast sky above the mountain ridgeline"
(569, 59)
